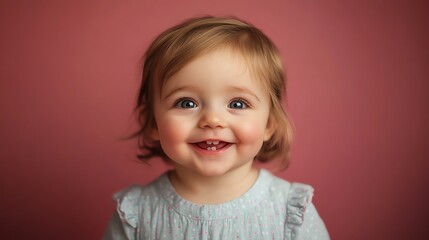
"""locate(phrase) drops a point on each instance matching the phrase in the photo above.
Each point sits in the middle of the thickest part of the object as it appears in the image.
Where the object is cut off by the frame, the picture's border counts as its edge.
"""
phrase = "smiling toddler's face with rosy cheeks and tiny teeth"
(212, 116)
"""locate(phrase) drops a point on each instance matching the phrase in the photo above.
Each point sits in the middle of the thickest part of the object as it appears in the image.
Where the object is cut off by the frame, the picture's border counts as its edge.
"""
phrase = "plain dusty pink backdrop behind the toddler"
(358, 93)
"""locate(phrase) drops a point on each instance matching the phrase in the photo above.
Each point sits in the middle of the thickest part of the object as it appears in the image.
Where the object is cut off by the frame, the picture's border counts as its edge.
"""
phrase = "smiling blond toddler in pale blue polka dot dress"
(210, 104)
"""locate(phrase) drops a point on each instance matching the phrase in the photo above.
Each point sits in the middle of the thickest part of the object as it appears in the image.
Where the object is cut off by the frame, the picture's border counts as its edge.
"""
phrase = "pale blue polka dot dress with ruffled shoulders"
(272, 209)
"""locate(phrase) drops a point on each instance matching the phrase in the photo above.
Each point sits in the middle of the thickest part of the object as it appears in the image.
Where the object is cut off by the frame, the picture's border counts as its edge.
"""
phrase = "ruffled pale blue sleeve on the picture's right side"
(302, 220)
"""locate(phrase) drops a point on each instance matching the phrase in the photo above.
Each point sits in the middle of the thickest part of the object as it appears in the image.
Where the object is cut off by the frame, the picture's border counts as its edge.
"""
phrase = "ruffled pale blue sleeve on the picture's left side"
(125, 221)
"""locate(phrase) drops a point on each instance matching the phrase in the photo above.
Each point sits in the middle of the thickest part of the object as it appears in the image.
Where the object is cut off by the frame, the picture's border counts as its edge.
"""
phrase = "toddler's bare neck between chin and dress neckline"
(213, 189)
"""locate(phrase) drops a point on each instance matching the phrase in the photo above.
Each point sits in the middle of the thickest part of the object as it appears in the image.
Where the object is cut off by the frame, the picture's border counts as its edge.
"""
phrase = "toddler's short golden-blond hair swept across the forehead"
(177, 46)
